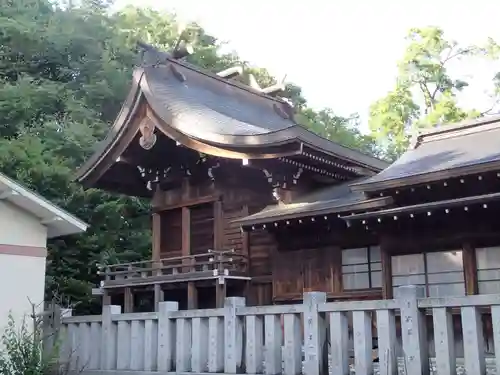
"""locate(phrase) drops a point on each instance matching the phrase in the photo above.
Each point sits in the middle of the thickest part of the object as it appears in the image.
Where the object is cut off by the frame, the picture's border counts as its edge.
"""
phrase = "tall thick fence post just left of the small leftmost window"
(316, 352)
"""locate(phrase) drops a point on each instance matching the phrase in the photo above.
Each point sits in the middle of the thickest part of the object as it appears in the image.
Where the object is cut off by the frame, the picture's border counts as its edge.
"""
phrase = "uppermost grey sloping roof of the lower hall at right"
(446, 152)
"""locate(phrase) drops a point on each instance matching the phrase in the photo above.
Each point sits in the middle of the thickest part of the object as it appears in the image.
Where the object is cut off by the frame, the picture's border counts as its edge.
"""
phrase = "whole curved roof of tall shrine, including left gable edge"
(216, 116)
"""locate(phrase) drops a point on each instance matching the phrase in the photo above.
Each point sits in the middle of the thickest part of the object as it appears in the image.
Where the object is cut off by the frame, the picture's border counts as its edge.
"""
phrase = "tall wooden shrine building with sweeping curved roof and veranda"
(208, 150)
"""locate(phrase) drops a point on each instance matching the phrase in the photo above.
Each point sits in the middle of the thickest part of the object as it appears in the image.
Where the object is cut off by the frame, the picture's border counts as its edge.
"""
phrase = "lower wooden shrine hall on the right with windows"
(428, 219)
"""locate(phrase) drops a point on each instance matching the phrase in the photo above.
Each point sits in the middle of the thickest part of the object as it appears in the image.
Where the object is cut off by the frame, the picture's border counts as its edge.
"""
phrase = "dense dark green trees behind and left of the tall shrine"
(64, 72)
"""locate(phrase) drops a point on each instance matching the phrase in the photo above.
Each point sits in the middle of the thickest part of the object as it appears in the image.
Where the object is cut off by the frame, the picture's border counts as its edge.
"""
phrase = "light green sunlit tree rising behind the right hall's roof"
(425, 94)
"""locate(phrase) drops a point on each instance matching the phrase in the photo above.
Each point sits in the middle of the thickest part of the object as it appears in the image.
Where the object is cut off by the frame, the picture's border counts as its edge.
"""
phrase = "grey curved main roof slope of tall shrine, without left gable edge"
(223, 113)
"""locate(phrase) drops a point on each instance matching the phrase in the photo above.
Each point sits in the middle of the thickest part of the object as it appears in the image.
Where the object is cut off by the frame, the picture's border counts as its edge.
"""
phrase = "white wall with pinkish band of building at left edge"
(22, 262)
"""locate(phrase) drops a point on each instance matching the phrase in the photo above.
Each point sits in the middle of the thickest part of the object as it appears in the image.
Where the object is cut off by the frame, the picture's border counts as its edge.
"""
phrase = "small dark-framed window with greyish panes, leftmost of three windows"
(361, 268)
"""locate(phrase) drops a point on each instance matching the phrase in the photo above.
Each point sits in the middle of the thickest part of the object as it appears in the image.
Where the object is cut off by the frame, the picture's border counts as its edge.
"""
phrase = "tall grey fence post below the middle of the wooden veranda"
(166, 336)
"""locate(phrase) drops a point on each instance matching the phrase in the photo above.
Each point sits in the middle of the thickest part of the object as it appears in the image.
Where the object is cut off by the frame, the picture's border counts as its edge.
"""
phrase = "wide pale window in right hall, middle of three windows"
(441, 273)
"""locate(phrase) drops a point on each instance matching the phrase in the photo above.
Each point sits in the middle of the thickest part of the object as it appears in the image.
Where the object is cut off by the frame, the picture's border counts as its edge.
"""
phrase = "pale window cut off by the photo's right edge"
(488, 270)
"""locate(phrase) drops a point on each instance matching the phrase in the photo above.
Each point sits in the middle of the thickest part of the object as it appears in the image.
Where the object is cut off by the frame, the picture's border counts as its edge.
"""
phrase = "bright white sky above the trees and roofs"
(343, 53)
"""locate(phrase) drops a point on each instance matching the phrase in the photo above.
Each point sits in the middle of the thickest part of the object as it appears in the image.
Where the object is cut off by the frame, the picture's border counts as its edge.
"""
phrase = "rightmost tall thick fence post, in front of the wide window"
(413, 330)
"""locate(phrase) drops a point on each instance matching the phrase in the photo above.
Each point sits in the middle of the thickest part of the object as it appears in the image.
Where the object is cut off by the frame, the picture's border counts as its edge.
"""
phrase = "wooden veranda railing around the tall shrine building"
(199, 266)
